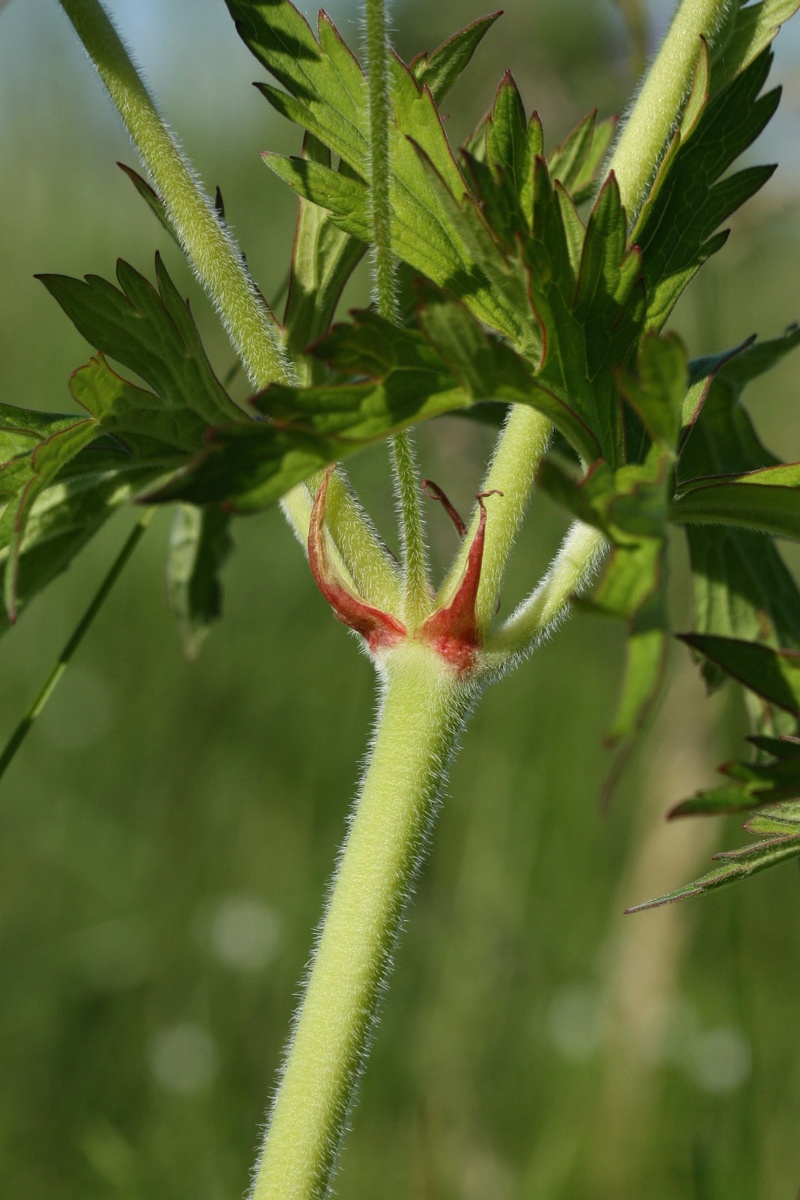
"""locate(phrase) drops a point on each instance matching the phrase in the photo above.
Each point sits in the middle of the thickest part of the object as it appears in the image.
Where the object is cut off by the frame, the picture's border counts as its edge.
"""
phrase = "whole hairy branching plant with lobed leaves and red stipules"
(504, 273)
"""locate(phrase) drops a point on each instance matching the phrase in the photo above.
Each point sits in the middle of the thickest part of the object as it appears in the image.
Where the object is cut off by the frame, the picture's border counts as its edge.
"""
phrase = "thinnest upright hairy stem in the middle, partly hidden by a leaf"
(417, 601)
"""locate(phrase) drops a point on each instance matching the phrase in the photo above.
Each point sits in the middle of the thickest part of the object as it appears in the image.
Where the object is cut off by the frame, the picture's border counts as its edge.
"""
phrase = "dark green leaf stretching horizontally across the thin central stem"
(401, 379)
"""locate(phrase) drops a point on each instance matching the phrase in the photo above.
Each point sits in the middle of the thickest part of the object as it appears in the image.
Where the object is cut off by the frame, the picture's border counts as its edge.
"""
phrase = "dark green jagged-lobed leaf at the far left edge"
(62, 477)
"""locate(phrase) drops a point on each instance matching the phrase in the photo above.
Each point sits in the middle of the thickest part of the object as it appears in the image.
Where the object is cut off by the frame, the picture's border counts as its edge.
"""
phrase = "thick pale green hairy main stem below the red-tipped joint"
(423, 712)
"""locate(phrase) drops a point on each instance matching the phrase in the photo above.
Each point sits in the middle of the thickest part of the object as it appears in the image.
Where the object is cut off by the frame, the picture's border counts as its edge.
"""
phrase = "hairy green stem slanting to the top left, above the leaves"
(206, 241)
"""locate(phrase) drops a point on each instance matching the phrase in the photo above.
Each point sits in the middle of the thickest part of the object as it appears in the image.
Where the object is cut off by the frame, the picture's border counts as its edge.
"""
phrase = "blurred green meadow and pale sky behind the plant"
(169, 831)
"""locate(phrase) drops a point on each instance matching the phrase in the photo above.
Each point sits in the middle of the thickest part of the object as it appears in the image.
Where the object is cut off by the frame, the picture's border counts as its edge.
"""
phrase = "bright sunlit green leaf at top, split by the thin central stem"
(326, 95)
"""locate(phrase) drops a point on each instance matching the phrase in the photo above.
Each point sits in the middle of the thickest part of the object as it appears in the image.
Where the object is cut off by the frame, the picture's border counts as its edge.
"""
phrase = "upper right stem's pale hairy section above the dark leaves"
(652, 121)
